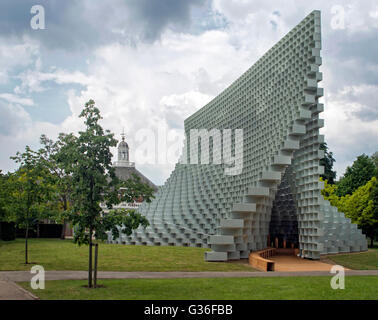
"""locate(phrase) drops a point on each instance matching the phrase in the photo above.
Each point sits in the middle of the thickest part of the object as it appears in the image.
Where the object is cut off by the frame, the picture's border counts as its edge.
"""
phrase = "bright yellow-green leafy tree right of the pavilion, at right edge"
(361, 206)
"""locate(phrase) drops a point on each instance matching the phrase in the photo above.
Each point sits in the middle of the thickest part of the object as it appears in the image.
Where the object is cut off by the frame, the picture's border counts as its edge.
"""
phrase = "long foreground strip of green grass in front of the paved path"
(272, 288)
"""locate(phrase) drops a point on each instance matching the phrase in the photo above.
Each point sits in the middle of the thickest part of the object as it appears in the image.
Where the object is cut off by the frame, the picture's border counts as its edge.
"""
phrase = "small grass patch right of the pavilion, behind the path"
(358, 261)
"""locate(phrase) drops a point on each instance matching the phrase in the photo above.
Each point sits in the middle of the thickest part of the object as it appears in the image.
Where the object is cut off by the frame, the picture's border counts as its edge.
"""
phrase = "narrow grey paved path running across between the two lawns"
(77, 275)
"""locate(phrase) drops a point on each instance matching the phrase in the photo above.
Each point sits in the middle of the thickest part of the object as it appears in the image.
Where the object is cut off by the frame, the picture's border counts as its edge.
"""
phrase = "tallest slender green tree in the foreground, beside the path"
(94, 183)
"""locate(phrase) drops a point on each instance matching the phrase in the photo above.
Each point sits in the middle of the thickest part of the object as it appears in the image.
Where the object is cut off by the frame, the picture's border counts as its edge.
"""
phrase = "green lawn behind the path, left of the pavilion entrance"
(55, 254)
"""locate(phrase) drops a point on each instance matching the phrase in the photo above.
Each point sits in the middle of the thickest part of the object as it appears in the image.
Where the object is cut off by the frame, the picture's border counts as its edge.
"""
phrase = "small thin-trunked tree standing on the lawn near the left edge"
(29, 192)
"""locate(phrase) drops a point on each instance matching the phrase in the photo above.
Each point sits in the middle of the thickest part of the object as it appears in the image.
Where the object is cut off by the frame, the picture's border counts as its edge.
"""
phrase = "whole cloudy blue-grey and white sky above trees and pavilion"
(149, 64)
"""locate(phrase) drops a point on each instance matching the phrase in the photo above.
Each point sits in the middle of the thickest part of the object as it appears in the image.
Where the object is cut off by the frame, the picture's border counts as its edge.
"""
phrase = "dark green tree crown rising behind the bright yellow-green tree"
(362, 170)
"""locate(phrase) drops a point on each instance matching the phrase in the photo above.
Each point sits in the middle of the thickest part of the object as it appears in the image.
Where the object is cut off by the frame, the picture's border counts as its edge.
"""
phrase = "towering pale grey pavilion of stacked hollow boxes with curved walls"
(275, 106)
